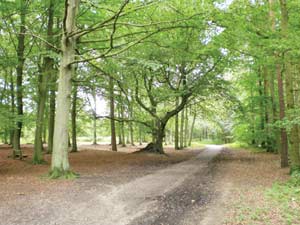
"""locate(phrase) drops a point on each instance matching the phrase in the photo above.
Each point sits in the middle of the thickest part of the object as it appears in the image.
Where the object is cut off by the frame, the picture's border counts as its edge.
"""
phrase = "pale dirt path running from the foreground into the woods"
(174, 195)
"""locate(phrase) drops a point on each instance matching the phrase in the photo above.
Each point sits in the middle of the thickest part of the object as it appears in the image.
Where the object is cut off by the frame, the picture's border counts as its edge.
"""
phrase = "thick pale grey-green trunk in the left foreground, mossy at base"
(60, 161)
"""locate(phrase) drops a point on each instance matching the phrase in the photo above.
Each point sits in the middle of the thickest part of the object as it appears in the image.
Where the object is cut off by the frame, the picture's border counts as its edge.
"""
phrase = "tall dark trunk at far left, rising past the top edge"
(19, 92)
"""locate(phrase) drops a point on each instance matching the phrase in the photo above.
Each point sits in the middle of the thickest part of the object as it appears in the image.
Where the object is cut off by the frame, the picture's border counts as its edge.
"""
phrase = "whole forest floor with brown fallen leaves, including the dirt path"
(193, 186)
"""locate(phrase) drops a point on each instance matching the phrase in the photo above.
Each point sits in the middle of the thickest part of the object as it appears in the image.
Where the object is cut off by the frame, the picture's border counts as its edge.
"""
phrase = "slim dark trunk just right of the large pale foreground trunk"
(73, 119)
